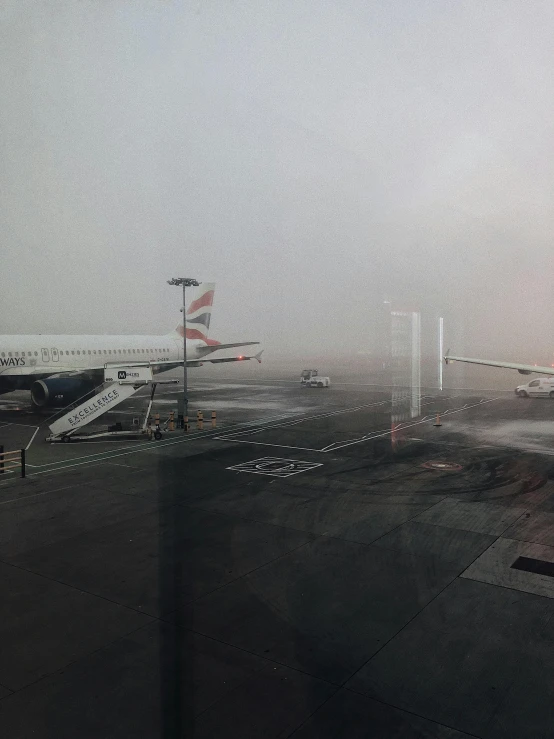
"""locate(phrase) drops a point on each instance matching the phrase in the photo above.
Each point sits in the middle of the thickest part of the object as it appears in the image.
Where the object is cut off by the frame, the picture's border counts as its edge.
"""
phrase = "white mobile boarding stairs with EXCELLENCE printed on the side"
(120, 383)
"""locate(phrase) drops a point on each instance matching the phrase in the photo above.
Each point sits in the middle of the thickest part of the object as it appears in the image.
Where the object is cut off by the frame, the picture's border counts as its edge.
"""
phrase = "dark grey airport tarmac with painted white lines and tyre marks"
(320, 565)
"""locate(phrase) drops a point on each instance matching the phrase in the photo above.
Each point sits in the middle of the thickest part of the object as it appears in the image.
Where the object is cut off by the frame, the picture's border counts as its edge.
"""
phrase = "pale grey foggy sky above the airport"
(313, 157)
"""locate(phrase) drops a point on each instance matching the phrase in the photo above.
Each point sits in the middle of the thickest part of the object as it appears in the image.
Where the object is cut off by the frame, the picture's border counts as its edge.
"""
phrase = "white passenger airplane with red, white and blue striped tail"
(59, 369)
